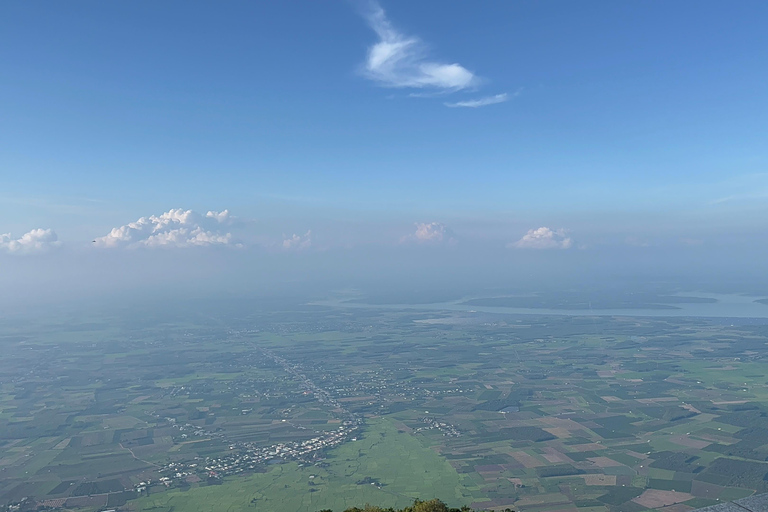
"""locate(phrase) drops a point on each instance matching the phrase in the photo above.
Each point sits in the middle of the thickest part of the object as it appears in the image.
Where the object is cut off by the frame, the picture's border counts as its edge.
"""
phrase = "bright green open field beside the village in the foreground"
(399, 461)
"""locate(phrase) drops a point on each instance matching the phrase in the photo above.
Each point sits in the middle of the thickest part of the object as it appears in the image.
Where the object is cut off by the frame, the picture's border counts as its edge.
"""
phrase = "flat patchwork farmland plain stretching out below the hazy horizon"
(301, 408)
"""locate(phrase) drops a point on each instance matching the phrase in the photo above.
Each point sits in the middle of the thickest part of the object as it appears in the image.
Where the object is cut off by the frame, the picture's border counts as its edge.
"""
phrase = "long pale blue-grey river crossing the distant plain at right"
(725, 306)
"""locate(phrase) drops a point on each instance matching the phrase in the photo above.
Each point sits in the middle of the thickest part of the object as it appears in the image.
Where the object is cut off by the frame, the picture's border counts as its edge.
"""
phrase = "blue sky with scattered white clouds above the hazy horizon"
(486, 130)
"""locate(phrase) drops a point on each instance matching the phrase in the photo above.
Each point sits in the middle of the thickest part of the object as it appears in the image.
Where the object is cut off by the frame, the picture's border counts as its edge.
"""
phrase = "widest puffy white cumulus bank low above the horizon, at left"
(174, 228)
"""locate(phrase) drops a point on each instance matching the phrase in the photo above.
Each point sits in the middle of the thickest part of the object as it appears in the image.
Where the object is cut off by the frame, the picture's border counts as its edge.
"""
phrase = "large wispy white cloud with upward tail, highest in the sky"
(401, 61)
